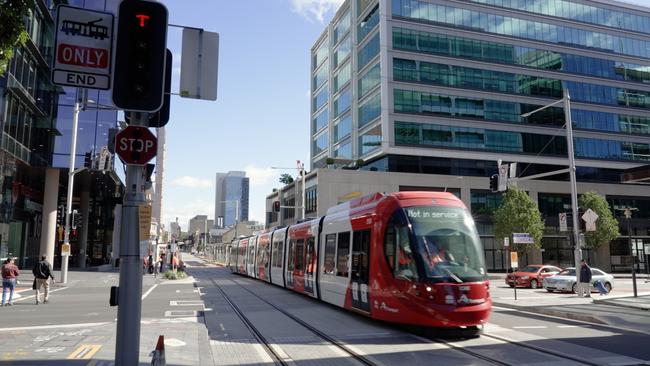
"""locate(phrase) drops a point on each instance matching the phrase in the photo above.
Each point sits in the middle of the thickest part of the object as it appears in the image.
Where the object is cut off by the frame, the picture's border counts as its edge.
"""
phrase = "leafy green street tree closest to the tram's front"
(518, 213)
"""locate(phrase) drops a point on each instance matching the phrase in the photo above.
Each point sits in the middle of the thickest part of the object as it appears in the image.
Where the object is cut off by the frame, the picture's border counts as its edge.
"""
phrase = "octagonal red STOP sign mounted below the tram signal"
(135, 145)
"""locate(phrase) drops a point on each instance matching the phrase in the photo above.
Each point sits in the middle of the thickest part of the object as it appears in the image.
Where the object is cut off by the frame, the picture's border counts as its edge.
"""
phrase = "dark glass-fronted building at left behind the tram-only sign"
(34, 153)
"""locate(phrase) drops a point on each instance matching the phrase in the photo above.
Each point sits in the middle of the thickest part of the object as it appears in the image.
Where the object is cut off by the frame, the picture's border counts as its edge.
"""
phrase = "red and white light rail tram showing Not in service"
(412, 258)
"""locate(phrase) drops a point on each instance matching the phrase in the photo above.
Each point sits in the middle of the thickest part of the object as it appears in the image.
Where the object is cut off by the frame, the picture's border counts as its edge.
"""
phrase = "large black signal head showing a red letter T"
(140, 56)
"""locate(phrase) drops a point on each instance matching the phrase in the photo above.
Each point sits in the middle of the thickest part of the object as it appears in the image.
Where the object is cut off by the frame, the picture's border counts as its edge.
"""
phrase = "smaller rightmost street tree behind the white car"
(606, 224)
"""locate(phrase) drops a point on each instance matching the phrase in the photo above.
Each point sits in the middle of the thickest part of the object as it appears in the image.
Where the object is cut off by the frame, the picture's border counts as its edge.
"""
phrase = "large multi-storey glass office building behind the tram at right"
(439, 87)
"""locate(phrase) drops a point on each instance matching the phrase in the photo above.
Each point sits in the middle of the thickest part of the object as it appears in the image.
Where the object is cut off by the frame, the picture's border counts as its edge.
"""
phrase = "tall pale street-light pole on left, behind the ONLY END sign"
(68, 206)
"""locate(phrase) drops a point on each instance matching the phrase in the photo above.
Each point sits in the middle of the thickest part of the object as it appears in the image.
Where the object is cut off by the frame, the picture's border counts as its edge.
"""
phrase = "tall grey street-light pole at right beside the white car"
(574, 189)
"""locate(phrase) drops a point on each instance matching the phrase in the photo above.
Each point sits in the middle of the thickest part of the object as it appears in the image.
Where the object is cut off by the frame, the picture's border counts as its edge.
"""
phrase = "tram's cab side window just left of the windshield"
(398, 251)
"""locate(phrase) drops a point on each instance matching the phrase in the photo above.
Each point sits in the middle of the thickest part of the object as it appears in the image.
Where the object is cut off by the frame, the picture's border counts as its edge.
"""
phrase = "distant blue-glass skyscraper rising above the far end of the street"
(231, 198)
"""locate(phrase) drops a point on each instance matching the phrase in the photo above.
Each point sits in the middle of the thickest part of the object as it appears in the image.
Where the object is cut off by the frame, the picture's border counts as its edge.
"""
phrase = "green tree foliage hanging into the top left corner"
(12, 31)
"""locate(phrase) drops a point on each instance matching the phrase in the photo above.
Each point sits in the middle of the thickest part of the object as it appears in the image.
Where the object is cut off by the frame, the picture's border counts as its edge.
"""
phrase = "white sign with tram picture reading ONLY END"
(83, 47)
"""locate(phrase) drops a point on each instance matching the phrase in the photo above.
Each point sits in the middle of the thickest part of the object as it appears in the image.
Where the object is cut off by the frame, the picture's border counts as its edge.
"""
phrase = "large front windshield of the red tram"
(448, 244)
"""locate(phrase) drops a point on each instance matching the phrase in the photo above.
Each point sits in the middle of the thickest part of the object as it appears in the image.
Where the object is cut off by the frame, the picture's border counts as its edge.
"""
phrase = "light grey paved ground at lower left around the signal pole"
(78, 326)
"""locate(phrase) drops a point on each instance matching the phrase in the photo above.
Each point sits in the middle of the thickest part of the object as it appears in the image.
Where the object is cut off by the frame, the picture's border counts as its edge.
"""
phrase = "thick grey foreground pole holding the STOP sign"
(127, 343)
